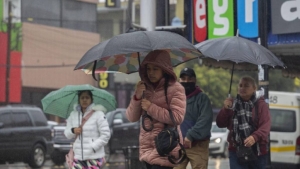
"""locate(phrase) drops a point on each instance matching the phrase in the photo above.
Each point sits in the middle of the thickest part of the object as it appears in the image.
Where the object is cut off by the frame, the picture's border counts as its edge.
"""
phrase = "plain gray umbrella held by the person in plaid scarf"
(236, 52)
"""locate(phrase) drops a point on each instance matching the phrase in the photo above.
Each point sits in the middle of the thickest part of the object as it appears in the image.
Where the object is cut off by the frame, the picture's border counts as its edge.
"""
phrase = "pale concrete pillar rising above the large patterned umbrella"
(148, 14)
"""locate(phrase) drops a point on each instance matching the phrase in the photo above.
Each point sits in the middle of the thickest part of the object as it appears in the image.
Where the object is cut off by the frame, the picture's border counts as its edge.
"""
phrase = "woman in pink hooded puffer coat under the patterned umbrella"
(158, 81)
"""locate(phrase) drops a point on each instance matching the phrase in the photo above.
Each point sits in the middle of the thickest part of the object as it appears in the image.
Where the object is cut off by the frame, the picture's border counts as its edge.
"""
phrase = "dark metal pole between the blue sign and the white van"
(264, 82)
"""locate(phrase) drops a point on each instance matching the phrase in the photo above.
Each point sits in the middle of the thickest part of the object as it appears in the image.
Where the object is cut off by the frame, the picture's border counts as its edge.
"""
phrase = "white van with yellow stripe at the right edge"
(285, 129)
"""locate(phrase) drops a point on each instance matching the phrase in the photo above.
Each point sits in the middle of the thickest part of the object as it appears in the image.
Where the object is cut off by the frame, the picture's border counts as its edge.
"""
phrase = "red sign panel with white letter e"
(200, 26)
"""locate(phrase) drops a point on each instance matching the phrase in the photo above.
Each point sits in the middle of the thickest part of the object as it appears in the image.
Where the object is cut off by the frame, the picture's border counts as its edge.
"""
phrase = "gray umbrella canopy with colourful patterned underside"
(124, 52)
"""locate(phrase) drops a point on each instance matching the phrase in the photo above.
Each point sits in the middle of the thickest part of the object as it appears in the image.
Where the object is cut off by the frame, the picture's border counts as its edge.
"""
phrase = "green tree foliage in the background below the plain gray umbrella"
(215, 82)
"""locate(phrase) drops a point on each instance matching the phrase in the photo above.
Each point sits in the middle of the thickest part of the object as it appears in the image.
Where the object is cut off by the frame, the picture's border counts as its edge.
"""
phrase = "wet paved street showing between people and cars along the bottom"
(116, 162)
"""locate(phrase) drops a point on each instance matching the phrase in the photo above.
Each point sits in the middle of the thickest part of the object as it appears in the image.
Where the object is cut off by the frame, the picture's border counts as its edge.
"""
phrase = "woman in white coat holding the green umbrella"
(92, 137)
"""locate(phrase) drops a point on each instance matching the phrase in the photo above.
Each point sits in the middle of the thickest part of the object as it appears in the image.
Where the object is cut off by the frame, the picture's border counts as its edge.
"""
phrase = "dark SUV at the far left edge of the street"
(24, 135)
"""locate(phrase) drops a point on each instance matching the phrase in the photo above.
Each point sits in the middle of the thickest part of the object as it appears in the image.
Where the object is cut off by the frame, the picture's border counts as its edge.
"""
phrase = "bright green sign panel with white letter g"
(220, 18)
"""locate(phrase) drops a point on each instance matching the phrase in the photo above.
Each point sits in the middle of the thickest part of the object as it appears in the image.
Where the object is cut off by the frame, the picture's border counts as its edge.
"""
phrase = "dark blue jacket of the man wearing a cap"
(198, 117)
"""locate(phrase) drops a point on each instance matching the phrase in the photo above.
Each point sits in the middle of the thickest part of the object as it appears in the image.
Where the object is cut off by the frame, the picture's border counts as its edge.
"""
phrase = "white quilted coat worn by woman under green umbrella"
(95, 135)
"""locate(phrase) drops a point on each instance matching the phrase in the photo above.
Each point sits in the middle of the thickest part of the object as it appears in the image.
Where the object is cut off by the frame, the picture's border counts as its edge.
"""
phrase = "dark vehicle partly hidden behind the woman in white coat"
(123, 134)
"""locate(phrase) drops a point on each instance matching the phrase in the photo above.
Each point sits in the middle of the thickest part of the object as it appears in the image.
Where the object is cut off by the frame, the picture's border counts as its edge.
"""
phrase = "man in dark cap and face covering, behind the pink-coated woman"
(197, 122)
